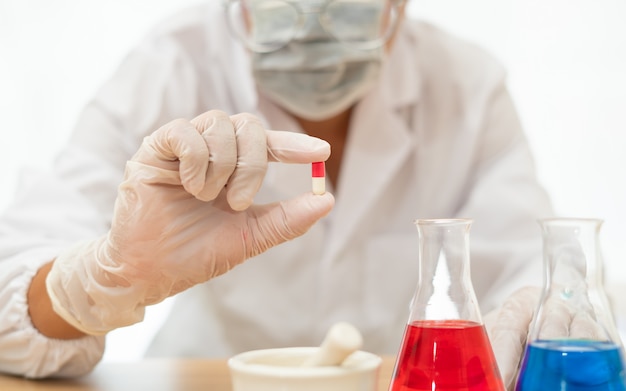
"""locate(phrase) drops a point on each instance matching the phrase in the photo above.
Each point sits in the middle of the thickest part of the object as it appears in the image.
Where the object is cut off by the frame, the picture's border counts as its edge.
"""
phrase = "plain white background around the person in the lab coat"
(566, 61)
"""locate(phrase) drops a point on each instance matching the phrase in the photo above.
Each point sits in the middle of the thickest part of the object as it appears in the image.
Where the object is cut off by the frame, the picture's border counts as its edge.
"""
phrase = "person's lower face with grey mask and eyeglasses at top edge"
(315, 58)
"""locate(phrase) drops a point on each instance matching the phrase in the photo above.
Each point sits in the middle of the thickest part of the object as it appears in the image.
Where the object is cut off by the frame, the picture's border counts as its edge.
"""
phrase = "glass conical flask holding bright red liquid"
(445, 345)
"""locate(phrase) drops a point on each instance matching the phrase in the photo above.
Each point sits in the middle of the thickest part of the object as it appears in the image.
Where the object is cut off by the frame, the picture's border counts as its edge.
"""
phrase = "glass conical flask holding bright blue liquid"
(573, 344)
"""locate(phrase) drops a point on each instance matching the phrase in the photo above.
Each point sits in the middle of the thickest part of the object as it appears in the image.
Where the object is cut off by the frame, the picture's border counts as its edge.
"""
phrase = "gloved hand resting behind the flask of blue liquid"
(508, 327)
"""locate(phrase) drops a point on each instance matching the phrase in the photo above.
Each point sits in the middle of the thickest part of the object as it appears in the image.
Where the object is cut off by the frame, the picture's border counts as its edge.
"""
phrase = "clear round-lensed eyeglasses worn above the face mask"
(268, 25)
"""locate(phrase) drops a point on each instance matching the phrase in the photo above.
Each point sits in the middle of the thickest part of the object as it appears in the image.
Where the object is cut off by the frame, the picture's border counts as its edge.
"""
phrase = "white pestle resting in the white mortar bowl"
(341, 340)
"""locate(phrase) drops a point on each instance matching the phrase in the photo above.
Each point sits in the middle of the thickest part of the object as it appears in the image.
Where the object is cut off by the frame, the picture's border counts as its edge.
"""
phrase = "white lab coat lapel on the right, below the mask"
(379, 143)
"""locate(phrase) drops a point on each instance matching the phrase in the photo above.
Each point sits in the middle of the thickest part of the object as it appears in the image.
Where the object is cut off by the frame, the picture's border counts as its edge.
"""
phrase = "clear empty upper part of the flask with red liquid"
(444, 290)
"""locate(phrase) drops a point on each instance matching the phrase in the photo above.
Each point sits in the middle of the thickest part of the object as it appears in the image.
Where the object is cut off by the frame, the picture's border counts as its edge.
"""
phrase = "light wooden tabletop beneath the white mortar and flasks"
(154, 375)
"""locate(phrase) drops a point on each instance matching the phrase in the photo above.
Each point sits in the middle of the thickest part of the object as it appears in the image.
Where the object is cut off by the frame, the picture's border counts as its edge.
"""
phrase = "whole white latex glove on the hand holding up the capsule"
(184, 215)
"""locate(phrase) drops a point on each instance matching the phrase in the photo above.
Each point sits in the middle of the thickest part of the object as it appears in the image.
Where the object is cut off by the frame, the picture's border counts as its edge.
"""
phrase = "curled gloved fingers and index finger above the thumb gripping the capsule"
(215, 150)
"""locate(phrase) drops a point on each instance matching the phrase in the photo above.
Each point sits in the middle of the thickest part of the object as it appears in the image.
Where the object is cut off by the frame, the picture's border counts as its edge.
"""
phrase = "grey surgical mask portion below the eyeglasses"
(314, 76)
